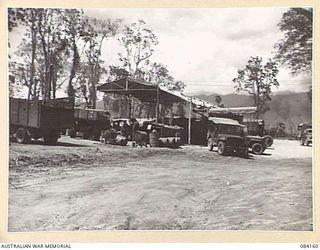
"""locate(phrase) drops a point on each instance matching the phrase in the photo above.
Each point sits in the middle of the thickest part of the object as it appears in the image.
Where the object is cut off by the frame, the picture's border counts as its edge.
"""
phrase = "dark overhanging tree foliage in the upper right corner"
(295, 49)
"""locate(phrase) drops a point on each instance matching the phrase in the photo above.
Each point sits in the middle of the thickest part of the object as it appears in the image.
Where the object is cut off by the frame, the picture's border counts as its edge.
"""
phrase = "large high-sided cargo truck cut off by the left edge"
(34, 119)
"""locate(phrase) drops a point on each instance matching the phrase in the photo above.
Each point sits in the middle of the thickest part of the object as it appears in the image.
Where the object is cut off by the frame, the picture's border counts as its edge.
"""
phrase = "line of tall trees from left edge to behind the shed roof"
(61, 49)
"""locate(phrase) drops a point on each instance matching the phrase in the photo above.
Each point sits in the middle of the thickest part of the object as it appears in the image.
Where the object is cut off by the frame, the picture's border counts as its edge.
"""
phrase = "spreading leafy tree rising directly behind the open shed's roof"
(139, 43)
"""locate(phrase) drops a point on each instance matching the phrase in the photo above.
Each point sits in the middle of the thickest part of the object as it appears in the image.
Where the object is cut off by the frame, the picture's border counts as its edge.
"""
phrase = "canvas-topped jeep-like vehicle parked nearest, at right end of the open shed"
(227, 135)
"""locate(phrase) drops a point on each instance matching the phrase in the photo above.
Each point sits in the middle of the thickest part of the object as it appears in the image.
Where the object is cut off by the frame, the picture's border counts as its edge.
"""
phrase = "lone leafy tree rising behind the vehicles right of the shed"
(257, 79)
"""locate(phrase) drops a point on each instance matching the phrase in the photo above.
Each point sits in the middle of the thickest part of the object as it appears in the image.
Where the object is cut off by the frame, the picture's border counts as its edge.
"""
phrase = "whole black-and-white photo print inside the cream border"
(160, 119)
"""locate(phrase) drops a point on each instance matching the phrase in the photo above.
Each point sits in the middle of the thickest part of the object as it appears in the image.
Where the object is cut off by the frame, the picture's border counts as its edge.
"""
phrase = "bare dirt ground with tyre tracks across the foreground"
(86, 185)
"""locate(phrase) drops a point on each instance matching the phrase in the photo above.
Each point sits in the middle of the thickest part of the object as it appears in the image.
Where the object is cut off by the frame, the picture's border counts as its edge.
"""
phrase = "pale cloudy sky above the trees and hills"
(205, 47)
